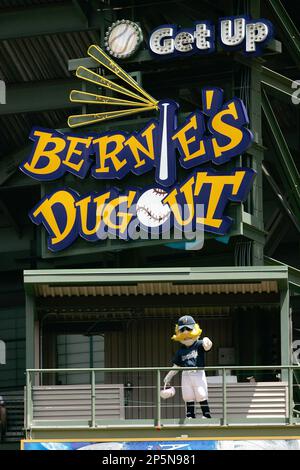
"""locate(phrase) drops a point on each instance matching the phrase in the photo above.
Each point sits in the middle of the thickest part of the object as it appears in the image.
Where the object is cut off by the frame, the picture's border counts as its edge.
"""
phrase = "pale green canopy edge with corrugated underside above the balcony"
(156, 281)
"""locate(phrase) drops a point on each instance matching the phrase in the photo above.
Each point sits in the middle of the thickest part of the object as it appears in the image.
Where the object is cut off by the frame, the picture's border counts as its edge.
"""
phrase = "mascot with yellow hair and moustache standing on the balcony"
(191, 354)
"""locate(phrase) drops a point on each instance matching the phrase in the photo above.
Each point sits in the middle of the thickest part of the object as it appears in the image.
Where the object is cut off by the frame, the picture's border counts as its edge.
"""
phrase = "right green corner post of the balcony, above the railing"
(285, 328)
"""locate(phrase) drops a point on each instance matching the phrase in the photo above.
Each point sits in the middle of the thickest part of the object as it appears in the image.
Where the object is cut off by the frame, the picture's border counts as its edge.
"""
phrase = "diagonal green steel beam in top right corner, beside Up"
(291, 34)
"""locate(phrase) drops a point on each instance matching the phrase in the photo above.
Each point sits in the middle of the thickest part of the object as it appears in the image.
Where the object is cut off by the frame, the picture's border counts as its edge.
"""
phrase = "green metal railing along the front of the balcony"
(286, 372)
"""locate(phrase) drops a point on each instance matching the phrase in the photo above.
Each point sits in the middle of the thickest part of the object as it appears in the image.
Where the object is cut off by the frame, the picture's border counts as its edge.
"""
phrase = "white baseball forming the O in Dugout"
(150, 209)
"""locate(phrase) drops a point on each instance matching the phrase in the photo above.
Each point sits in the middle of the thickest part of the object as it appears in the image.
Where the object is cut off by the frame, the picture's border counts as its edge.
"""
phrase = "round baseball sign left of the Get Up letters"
(123, 38)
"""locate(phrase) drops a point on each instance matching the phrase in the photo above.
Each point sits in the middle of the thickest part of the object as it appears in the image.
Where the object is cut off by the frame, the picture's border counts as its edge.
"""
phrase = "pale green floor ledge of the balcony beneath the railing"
(169, 429)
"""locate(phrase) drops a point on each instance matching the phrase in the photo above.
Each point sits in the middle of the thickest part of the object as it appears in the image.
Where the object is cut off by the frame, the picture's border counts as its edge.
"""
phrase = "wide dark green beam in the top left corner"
(46, 19)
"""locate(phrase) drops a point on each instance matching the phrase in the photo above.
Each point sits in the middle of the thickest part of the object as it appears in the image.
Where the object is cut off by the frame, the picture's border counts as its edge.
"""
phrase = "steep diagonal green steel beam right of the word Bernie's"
(286, 163)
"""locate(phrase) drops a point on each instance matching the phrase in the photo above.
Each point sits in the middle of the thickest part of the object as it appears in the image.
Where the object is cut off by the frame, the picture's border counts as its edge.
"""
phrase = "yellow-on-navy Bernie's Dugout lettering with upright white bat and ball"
(216, 134)
